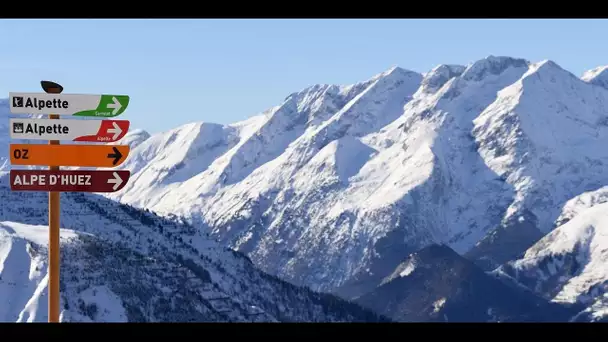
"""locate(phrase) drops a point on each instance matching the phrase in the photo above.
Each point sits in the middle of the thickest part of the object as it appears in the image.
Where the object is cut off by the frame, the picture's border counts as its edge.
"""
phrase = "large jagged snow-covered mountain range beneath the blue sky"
(334, 187)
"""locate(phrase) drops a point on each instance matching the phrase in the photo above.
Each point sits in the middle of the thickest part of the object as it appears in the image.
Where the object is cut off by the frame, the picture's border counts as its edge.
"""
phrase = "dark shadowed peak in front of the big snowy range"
(436, 284)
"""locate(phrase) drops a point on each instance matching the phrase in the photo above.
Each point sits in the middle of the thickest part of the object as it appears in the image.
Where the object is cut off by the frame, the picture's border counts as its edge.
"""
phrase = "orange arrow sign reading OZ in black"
(69, 155)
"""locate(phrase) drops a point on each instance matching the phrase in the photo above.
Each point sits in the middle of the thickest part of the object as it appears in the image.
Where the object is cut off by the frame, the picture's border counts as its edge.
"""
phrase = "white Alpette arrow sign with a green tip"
(68, 104)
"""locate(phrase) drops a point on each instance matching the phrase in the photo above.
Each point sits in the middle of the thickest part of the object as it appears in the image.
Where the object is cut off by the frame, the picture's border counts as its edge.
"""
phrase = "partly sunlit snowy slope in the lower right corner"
(570, 264)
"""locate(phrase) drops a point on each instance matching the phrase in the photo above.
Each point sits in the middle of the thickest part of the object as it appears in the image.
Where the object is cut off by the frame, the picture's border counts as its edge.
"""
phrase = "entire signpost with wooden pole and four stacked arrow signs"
(54, 181)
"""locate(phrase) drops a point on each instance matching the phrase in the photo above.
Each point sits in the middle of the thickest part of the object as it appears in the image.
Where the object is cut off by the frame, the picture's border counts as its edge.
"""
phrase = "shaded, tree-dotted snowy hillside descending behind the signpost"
(123, 264)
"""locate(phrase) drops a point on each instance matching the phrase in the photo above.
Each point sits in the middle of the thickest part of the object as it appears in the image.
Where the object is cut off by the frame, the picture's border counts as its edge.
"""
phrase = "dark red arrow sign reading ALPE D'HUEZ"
(82, 181)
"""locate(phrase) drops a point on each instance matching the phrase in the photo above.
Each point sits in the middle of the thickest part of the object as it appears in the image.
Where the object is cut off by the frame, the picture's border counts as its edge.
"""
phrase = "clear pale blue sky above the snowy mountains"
(179, 71)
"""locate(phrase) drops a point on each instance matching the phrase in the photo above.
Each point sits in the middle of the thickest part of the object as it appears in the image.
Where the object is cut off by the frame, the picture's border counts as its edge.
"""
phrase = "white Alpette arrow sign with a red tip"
(71, 130)
